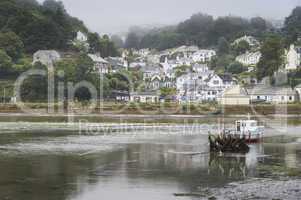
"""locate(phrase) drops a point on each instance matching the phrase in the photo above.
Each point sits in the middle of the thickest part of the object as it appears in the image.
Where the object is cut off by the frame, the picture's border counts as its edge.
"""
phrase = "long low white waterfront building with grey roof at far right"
(274, 95)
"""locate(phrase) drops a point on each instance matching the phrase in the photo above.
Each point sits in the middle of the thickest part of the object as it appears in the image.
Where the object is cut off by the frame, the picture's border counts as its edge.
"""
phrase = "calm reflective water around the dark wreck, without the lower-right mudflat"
(152, 168)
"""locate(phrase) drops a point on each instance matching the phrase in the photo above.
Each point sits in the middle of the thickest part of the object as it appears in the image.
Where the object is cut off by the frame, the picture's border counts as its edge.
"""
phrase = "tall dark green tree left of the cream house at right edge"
(272, 56)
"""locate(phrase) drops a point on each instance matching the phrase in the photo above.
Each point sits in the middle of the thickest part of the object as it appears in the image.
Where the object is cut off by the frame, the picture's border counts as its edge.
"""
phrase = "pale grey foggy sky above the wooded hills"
(113, 16)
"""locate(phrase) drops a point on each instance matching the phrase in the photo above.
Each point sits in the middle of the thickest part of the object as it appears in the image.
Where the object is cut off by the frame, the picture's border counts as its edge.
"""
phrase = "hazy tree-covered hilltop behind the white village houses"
(205, 31)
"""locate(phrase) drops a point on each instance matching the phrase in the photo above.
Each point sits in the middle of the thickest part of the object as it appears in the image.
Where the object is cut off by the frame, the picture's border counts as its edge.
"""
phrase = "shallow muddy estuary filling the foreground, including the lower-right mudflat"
(63, 165)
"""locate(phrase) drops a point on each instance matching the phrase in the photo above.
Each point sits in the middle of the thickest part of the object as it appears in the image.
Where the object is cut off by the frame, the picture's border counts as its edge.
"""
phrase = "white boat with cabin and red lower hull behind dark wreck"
(249, 129)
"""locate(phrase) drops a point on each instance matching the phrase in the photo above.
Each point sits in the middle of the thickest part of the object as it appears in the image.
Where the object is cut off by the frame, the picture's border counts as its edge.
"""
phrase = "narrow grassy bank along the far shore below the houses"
(164, 109)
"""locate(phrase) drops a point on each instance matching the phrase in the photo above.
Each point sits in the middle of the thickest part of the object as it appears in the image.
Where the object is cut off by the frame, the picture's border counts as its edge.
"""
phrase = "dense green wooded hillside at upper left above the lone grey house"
(27, 26)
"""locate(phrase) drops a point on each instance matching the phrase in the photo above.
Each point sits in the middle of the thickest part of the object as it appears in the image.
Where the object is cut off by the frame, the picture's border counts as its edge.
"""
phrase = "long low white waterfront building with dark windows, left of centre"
(145, 97)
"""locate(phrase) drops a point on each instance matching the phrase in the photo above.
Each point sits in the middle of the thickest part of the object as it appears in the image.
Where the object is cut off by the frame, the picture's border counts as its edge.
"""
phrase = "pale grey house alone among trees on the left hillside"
(46, 57)
